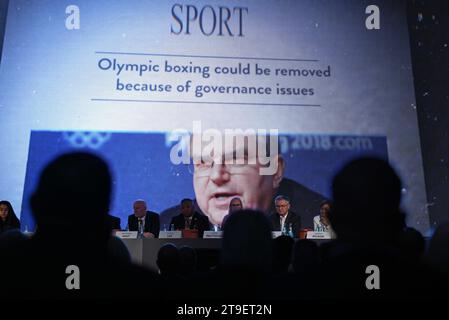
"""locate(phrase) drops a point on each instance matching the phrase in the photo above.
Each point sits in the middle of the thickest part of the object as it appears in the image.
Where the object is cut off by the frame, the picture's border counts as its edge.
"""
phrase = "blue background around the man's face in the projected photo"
(141, 172)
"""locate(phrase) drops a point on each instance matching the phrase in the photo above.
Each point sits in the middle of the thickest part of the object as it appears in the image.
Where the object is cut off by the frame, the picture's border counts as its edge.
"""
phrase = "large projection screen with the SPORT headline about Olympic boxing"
(133, 71)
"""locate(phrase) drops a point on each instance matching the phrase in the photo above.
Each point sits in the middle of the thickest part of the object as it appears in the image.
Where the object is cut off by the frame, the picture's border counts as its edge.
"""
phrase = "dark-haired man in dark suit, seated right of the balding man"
(190, 219)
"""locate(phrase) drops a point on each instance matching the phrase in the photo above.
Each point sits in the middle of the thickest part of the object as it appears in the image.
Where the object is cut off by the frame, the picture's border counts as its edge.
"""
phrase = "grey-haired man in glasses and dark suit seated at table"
(283, 218)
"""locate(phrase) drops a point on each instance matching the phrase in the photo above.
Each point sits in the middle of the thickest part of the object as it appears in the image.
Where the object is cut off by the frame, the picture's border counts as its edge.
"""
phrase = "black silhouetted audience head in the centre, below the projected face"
(247, 242)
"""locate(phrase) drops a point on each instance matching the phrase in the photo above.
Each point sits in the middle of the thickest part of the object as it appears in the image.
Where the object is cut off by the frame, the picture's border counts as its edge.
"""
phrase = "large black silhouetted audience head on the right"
(367, 194)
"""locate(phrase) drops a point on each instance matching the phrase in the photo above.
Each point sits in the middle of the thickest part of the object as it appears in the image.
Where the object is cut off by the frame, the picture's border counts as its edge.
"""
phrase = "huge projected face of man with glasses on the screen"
(217, 184)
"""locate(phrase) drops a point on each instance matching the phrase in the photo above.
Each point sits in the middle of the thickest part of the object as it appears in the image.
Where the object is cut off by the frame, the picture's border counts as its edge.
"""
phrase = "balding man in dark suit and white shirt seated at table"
(142, 219)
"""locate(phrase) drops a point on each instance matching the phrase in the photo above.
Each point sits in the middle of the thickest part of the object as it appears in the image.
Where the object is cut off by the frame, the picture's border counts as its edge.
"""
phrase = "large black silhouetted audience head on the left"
(73, 196)
